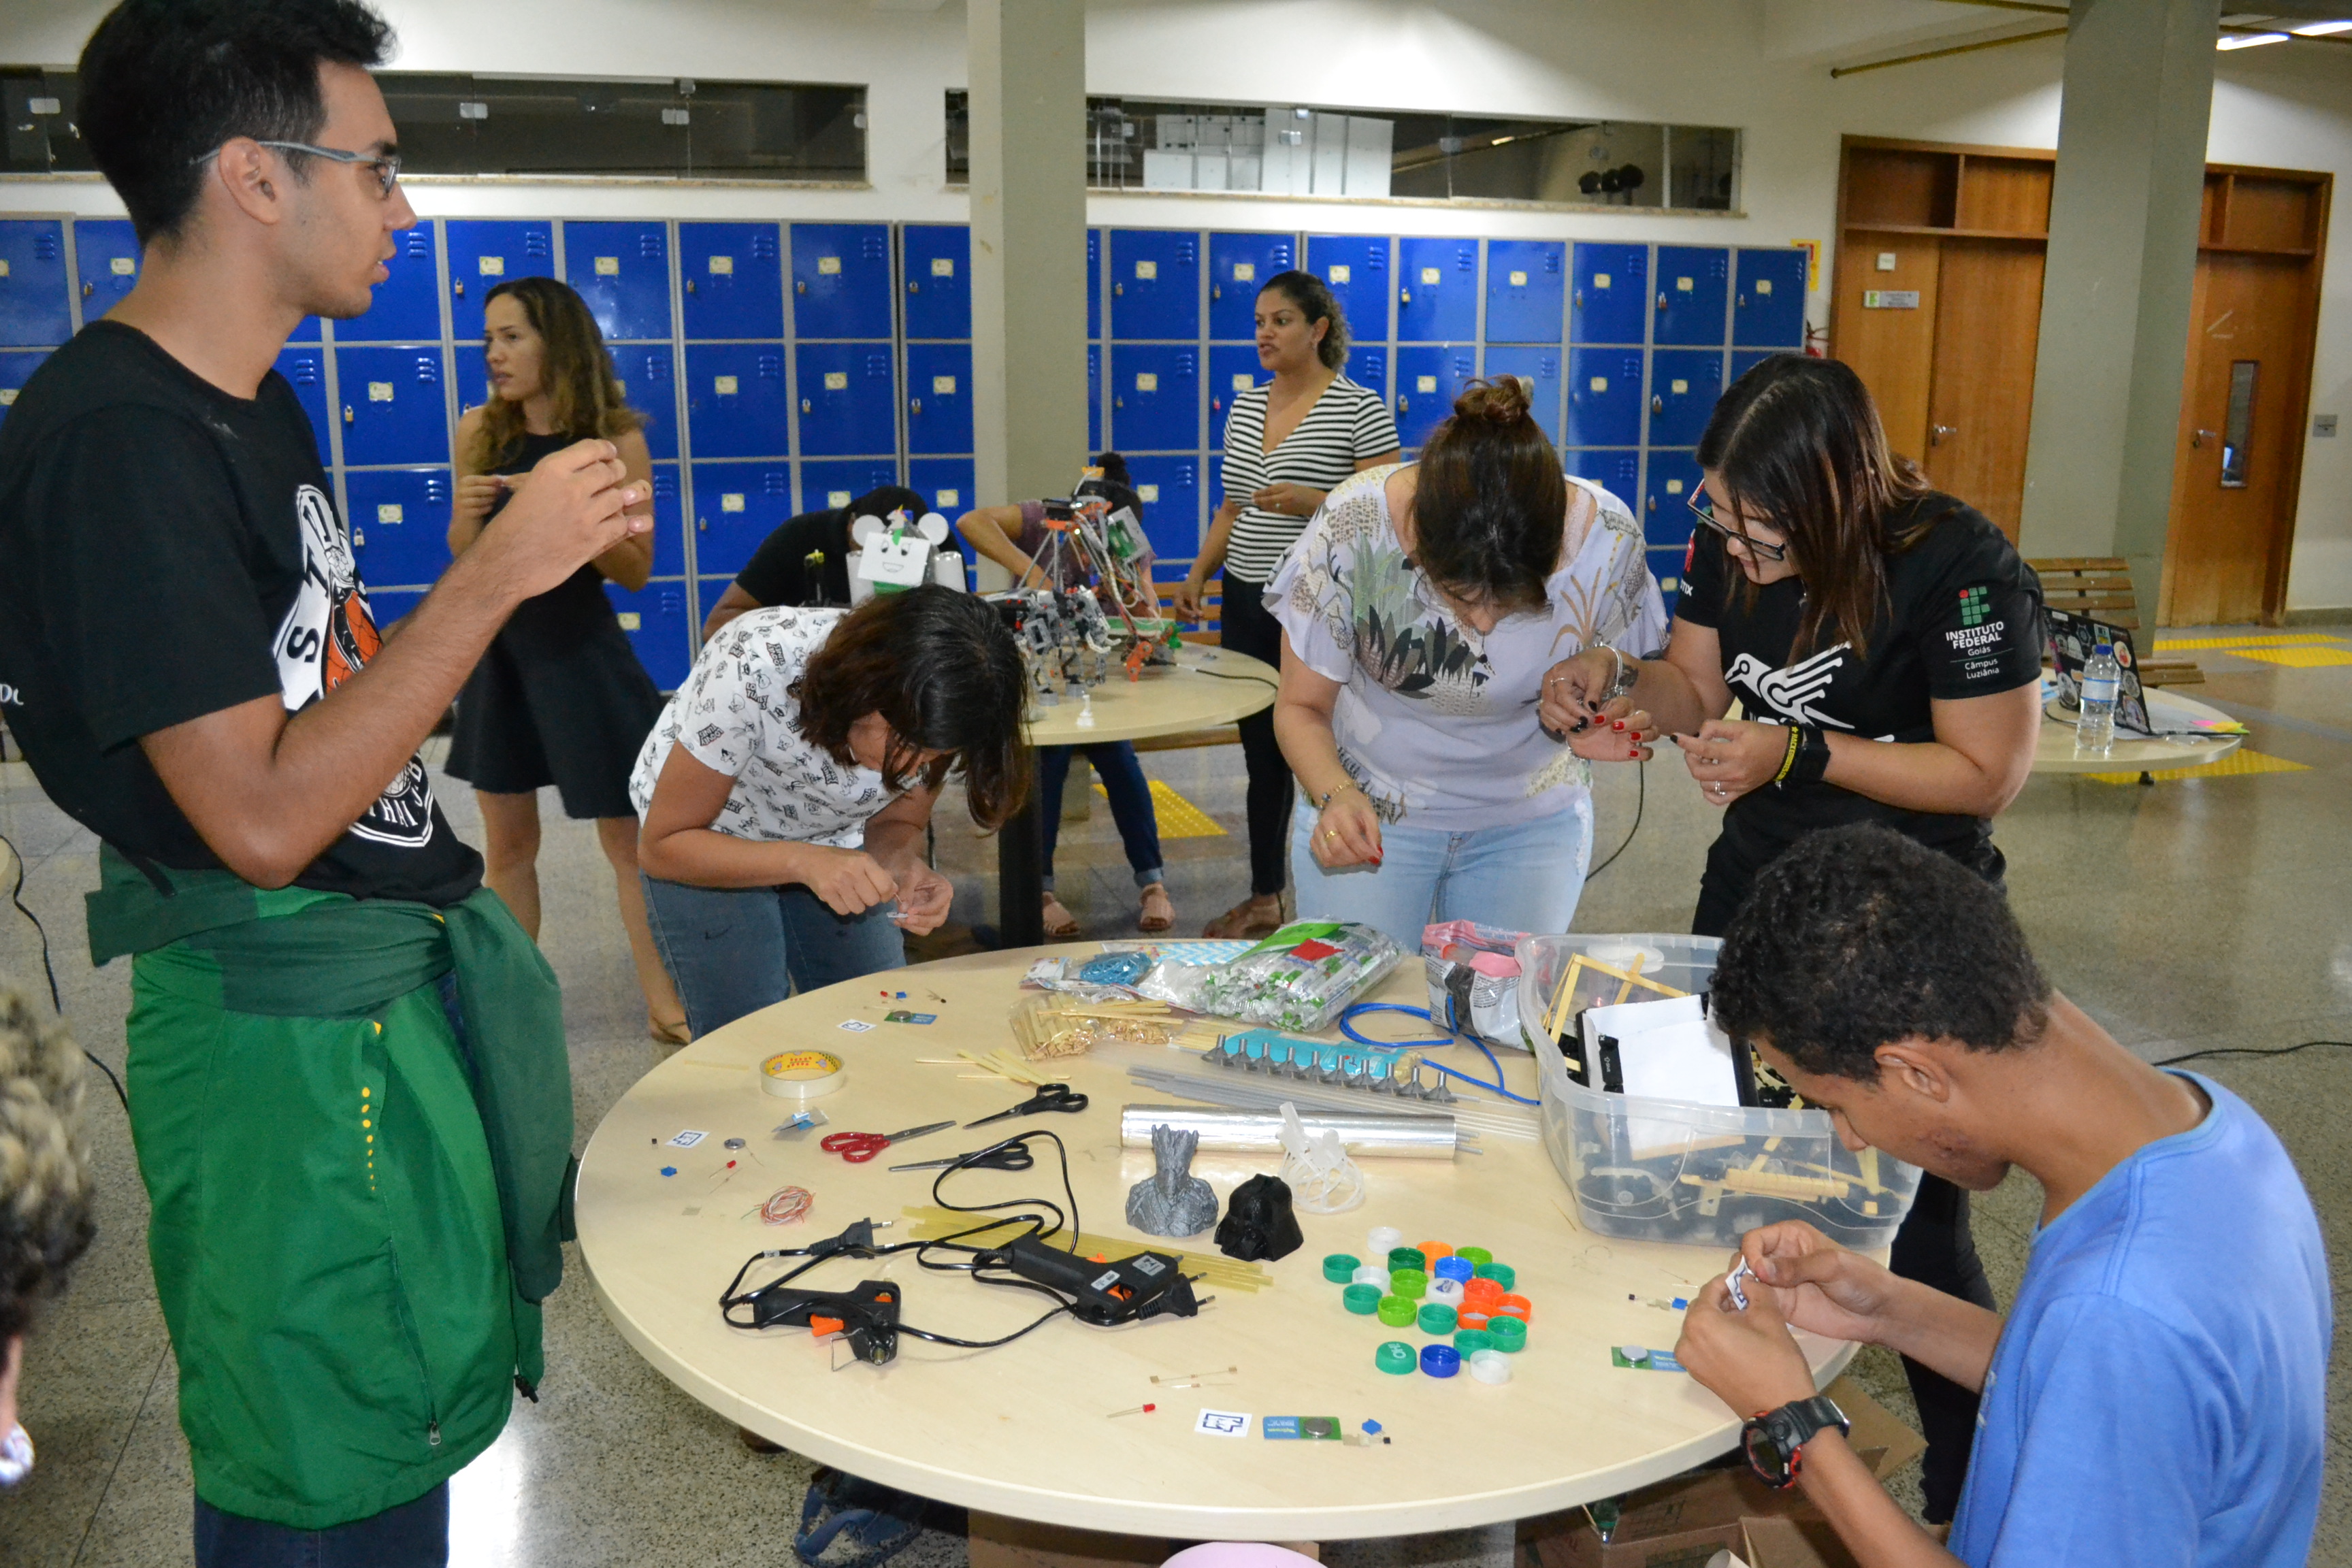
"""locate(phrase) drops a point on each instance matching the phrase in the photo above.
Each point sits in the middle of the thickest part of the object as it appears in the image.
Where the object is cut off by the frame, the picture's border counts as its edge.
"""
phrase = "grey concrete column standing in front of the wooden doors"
(2123, 267)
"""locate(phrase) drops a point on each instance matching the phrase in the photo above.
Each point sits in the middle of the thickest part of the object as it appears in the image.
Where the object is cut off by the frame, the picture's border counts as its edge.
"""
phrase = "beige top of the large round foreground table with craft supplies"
(1029, 1430)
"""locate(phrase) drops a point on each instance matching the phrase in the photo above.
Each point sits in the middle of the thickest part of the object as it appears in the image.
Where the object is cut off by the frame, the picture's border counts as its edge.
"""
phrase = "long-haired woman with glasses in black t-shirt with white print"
(1885, 645)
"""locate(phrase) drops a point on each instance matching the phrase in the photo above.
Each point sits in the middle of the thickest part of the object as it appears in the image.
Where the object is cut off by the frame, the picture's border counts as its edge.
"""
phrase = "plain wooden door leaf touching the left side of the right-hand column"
(1982, 396)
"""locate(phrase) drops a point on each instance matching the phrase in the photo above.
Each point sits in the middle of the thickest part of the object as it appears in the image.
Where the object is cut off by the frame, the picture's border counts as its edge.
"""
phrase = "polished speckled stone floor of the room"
(2184, 916)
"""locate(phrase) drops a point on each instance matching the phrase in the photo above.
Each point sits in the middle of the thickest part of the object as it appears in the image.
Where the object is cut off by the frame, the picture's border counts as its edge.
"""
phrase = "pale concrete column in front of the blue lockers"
(1029, 246)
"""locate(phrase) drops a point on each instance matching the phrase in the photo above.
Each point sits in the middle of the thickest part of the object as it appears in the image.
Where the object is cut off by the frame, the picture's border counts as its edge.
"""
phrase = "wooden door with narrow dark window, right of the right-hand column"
(2240, 441)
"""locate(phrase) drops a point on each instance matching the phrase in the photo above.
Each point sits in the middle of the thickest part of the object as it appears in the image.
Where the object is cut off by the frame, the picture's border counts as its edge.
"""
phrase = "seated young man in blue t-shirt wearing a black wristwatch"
(2158, 1395)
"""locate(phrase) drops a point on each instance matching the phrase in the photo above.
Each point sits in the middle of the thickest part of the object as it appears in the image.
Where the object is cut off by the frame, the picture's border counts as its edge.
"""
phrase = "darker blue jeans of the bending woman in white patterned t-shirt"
(737, 951)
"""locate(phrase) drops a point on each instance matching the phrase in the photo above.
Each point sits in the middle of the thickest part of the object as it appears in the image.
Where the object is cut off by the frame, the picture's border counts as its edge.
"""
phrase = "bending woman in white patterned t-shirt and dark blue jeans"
(789, 784)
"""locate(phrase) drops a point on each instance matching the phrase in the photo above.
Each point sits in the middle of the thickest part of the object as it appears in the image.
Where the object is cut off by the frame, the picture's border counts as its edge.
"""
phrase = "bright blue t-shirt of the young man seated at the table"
(2160, 1388)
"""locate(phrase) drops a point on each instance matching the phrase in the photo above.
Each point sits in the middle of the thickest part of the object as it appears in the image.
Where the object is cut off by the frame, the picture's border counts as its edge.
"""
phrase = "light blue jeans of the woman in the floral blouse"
(1521, 878)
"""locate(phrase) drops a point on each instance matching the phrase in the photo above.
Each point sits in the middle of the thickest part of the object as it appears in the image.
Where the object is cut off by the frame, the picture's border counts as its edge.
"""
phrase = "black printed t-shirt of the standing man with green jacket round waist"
(171, 551)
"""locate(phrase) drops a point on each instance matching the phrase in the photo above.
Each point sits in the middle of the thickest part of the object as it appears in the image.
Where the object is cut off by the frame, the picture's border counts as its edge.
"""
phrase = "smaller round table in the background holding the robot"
(1203, 690)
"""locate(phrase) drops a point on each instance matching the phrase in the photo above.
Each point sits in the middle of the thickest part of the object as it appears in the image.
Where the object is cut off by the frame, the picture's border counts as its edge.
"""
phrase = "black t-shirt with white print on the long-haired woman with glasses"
(1963, 619)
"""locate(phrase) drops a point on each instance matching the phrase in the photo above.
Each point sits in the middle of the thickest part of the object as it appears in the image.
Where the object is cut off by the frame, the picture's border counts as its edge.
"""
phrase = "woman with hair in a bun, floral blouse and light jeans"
(1422, 615)
